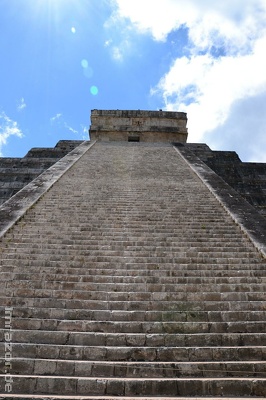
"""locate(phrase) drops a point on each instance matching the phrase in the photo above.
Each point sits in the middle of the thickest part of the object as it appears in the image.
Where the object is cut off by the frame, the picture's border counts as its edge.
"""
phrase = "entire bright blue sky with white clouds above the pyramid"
(62, 58)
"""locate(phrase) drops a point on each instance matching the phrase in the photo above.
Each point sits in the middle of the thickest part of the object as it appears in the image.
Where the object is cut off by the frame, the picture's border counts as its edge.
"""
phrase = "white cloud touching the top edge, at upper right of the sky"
(208, 22)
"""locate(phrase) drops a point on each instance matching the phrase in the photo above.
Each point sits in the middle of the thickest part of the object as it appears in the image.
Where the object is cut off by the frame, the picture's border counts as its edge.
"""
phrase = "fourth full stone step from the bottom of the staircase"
(138, 339)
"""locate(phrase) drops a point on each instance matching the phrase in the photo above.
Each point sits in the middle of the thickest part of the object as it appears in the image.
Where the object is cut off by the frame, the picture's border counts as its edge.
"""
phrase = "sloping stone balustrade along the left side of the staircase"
(15, 207)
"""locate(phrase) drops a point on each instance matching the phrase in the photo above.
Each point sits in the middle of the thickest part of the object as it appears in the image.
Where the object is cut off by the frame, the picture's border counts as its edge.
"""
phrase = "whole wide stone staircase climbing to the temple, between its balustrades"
(129, 279)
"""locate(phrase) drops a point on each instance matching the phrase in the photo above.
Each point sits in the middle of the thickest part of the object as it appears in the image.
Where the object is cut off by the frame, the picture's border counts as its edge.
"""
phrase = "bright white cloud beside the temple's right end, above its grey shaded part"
(207, 87)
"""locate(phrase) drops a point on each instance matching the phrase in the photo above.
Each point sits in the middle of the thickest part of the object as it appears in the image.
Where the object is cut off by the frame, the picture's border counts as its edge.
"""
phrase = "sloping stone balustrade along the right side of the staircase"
(246, 216)
